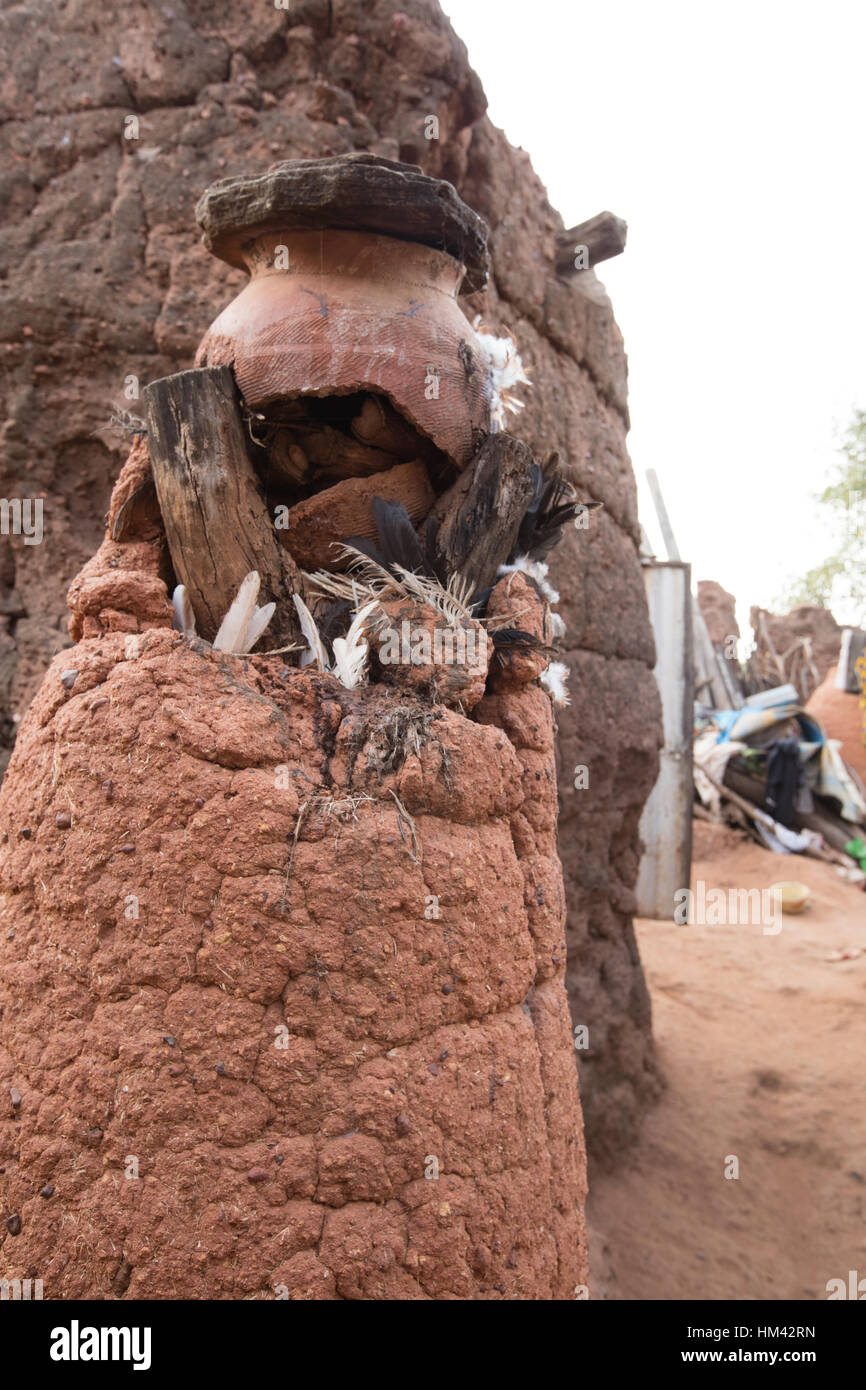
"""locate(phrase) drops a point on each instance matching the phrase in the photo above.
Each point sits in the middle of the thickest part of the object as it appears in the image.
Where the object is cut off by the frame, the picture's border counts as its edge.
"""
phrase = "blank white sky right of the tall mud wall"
(730, 138)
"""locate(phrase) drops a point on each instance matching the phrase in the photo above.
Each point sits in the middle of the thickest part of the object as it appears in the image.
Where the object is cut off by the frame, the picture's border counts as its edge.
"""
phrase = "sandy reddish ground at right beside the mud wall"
(764, 1045)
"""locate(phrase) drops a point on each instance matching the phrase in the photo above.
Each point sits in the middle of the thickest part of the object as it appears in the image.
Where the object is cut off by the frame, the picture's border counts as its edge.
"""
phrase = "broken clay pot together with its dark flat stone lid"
(355, 270)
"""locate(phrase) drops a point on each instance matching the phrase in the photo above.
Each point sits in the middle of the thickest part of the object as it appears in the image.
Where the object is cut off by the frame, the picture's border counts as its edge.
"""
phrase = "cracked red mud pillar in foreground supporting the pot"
(229, 1071)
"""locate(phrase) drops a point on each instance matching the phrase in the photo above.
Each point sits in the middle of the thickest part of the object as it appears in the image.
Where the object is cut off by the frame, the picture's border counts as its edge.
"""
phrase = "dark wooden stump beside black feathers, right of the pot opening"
(477, 521)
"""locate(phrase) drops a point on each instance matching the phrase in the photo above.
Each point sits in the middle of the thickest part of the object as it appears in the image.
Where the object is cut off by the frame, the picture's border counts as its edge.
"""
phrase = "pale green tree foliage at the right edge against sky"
(842, 579)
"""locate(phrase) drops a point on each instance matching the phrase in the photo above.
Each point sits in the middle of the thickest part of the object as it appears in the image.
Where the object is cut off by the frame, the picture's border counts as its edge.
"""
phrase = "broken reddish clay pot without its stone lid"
(357, 312)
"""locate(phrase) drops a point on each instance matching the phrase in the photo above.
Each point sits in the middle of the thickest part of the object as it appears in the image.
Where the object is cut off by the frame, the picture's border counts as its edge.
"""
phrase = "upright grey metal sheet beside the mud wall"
(667, 825)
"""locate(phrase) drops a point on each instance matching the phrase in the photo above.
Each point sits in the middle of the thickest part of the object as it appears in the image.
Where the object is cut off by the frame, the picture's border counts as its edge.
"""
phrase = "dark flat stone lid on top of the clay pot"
(361, 193)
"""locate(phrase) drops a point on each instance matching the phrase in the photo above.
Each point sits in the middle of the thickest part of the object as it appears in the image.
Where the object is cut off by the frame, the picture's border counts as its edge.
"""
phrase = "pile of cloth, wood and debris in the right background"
(779, 747)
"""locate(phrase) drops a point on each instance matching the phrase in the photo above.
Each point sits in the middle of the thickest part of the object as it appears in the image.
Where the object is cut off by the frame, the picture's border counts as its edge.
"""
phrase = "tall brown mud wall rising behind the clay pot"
(104, 280)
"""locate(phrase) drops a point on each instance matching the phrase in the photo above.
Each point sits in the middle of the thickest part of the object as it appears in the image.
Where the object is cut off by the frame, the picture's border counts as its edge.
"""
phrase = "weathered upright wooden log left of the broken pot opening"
(218, 523)
